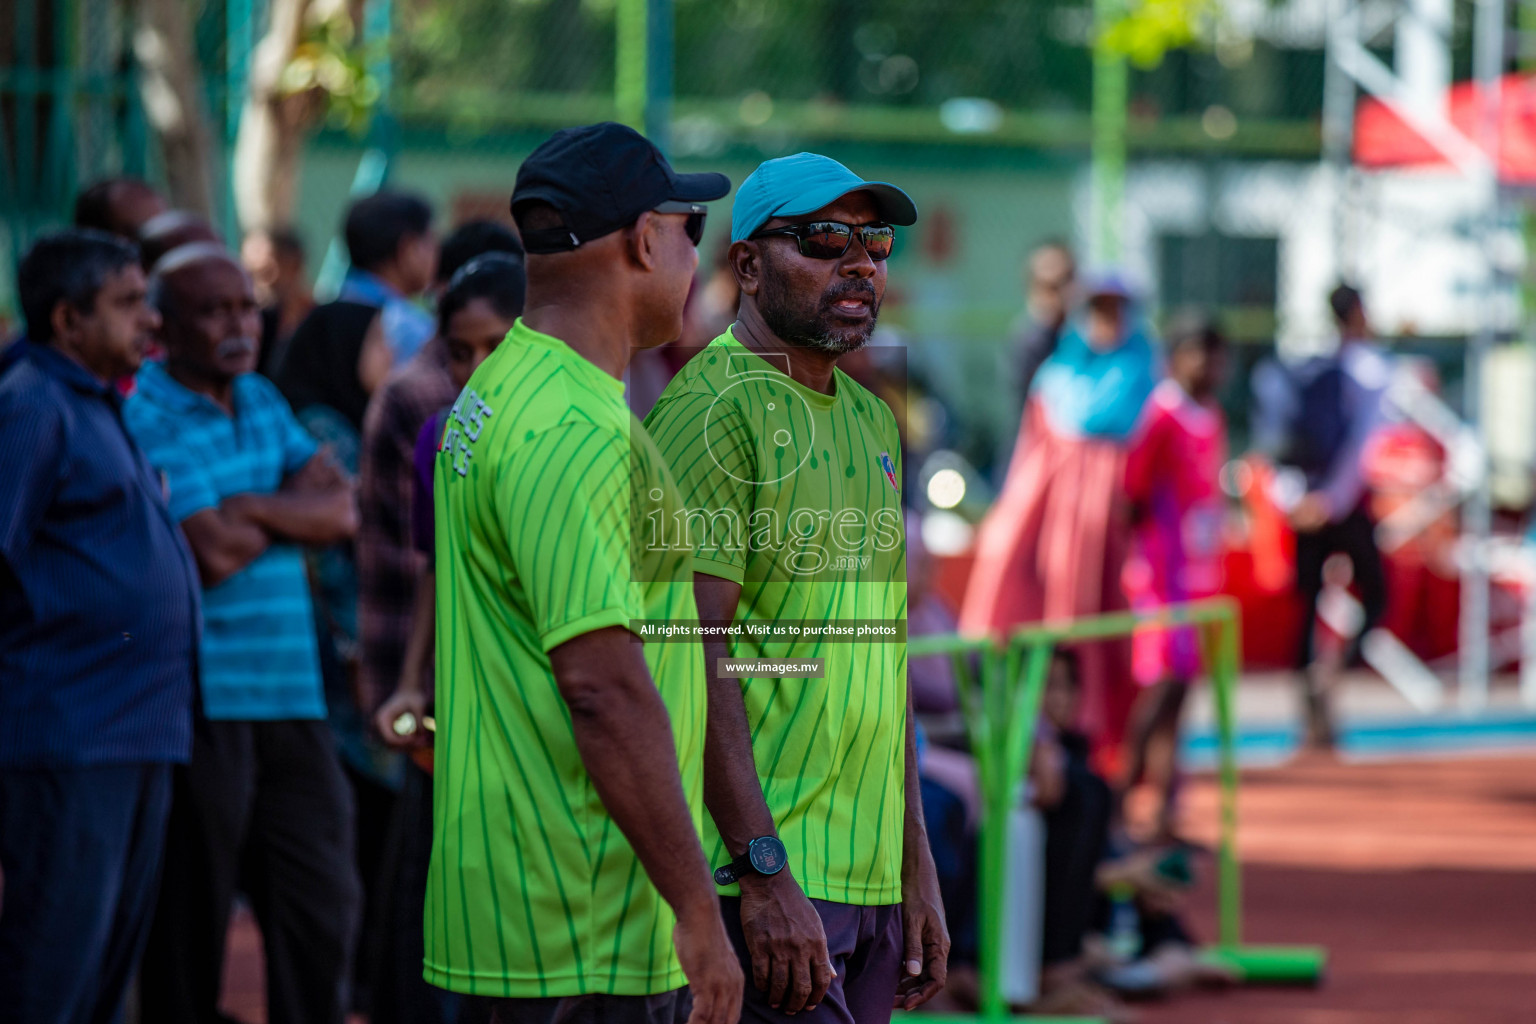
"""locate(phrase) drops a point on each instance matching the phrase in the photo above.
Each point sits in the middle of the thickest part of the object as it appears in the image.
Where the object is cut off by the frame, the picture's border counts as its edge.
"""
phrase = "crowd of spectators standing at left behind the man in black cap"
(162, 372)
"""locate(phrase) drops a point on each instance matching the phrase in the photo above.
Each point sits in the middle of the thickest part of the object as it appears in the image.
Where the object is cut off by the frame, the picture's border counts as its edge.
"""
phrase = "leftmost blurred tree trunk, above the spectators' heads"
(173, 93)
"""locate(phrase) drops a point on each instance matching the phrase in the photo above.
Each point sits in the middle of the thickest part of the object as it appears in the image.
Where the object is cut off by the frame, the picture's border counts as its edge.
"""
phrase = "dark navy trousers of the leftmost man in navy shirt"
(81, 850)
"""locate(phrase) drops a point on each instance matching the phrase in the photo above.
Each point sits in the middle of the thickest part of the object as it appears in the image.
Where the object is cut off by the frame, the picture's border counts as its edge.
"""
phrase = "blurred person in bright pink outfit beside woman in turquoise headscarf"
(1174, 486)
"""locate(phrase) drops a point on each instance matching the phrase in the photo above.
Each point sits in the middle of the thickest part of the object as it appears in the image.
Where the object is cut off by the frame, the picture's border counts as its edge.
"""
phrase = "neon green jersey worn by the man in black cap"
(534, 891)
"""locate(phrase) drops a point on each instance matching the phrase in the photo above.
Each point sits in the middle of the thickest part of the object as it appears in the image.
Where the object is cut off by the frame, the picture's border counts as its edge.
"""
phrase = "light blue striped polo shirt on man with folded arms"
(260, 661)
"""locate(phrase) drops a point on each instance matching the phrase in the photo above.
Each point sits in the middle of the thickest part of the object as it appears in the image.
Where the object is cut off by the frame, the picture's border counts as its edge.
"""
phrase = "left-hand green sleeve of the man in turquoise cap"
(709, 449)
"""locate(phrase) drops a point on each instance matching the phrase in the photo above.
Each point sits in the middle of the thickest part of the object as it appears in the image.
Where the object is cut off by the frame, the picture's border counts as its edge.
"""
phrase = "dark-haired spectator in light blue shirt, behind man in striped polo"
(394, 260)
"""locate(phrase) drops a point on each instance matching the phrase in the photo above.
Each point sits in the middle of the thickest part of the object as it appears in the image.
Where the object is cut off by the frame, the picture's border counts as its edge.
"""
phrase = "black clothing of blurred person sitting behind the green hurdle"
(1078, 831)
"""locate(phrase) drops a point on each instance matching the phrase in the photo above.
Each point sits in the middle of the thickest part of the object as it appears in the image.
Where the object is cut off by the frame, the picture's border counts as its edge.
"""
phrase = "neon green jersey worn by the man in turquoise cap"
(796, 495)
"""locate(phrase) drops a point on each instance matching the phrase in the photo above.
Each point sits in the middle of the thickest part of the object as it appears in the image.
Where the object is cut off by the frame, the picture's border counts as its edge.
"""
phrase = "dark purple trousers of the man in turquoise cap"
(866, 946)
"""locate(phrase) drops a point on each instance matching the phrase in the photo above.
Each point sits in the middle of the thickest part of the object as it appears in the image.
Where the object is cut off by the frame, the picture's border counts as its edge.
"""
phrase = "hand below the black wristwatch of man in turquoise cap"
(789, 945)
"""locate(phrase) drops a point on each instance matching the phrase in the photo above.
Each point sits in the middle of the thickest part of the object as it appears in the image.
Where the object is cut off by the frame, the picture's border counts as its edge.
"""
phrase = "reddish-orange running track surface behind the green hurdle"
(1420, 877)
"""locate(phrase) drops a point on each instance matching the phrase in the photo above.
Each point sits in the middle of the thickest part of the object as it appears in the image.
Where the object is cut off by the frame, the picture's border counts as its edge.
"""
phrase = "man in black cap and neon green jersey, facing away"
(568, 880)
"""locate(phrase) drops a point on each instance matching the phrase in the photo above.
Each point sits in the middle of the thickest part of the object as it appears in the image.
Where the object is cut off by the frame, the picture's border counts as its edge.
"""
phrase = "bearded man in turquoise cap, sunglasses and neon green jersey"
(792, 486)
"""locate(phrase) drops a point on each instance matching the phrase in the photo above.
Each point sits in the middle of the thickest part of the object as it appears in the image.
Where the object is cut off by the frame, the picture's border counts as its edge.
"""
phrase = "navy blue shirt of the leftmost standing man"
(99, 593)
